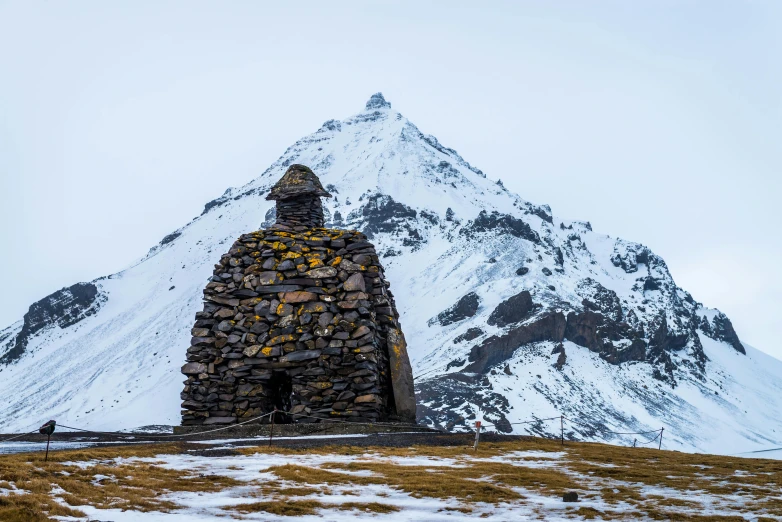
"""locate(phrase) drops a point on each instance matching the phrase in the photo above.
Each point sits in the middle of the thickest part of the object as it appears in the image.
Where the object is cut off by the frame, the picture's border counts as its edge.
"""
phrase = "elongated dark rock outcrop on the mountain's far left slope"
(63, 308)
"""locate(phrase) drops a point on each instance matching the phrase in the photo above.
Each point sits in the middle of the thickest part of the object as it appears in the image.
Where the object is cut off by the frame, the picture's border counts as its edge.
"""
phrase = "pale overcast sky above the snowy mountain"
(659, 122)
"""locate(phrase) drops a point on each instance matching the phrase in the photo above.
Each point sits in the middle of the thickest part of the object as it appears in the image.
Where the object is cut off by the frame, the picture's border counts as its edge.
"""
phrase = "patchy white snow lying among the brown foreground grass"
(254, 470)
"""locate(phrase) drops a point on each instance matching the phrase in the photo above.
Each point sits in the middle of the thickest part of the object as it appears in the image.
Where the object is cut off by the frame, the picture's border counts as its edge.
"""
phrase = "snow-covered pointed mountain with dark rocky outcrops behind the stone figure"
(509, 312)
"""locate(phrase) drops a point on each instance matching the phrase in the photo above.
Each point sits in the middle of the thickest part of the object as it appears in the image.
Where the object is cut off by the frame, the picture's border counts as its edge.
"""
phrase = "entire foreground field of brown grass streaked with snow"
(517, 480)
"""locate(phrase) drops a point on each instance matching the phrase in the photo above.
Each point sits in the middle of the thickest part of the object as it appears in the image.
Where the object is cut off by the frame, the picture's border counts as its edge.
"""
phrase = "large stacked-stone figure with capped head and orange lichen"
(298, 318)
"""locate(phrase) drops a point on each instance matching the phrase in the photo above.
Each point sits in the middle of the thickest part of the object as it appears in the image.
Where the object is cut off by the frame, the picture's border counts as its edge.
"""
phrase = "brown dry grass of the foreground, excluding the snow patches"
(613, 474)
